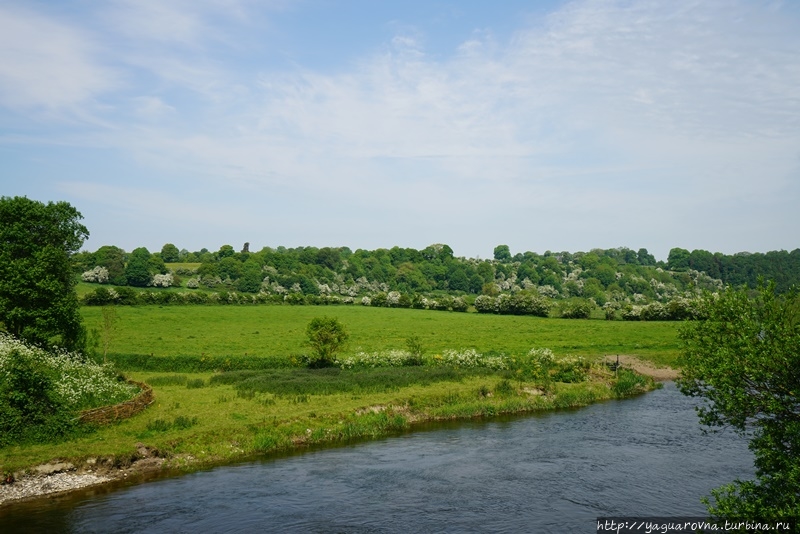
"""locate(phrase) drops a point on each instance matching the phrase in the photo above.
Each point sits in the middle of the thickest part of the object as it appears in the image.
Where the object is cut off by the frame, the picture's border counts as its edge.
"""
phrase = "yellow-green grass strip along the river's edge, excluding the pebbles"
(196, 427)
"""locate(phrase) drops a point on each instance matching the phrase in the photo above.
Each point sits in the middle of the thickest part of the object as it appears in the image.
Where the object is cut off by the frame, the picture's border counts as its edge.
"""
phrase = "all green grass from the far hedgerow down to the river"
(207, 418)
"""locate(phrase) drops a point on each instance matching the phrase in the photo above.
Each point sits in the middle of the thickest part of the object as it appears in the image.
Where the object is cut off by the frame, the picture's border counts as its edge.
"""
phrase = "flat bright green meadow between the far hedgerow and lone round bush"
(279, 331)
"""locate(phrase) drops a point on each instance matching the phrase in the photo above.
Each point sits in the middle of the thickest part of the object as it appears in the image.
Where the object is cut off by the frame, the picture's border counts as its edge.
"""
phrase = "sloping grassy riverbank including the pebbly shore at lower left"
(225, 427)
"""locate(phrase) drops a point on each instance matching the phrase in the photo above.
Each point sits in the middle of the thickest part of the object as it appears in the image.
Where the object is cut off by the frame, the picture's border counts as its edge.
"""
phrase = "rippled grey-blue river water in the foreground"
(553, 472)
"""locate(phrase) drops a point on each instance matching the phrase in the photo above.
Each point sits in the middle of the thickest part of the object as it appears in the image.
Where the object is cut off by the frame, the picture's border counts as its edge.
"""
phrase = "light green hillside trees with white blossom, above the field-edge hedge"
(601, 275)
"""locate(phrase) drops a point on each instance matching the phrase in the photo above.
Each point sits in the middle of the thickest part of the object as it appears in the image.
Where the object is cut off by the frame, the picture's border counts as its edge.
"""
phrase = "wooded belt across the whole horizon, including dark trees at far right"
(621, 280)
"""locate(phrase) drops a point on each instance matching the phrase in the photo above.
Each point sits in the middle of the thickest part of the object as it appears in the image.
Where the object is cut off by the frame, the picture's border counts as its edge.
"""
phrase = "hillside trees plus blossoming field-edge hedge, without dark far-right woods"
(625, 283)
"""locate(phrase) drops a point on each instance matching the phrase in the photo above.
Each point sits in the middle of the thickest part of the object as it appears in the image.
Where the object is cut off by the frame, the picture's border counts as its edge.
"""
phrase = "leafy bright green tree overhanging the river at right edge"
(742, 358)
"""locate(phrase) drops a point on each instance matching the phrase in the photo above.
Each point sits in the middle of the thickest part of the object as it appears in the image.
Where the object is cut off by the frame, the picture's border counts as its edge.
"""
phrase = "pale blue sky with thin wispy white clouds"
(542, 125)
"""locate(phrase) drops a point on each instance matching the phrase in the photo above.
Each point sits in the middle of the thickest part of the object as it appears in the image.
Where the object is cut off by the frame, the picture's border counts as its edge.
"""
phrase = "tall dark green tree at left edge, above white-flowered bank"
(38, 302)
